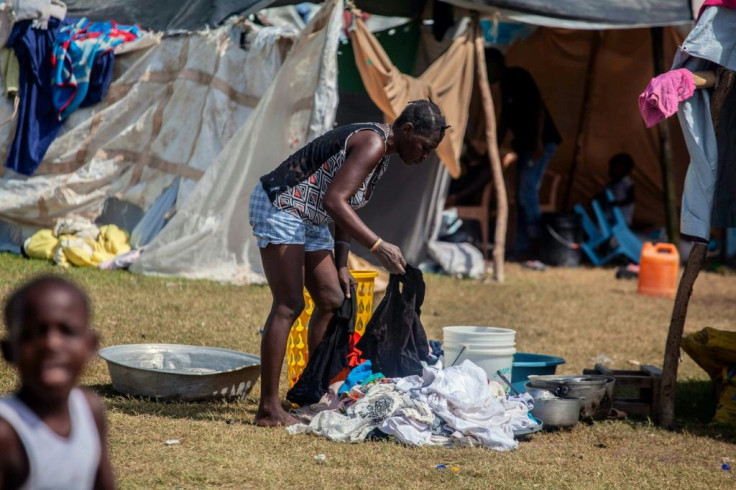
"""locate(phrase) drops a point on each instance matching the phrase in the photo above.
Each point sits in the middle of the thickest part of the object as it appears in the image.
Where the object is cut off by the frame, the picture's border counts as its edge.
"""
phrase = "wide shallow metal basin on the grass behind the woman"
(181, 372)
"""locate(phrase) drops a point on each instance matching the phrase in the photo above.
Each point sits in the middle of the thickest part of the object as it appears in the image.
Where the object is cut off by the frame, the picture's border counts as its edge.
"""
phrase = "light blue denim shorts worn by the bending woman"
(272, 225)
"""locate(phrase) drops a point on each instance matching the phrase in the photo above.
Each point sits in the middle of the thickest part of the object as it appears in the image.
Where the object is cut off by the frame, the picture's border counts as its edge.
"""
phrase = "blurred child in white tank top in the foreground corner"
(52, 434)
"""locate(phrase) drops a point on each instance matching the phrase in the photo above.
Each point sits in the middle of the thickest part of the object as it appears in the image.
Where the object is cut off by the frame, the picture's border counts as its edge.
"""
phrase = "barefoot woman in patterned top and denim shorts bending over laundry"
(290, 210)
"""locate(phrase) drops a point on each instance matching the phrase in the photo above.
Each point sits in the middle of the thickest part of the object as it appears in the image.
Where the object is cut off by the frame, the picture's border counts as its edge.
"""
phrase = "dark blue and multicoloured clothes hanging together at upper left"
(55, 64)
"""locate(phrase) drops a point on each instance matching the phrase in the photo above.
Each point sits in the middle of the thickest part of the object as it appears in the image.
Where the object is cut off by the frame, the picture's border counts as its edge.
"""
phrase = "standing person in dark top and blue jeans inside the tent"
(535, 138)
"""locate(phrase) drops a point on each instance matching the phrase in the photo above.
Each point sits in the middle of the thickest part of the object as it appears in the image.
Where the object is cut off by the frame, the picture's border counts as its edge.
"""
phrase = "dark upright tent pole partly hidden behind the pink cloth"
(665, 148)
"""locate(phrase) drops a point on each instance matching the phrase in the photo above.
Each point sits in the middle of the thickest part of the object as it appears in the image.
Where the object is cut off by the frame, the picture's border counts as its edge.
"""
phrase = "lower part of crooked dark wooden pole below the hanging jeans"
(674, 337)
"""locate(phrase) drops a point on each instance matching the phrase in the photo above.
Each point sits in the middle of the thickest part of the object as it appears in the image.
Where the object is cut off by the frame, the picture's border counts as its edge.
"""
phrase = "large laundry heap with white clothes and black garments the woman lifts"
(389, 383)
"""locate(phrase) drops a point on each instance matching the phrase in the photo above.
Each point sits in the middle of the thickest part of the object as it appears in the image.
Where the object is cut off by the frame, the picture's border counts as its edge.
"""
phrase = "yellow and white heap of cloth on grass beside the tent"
(79, 242)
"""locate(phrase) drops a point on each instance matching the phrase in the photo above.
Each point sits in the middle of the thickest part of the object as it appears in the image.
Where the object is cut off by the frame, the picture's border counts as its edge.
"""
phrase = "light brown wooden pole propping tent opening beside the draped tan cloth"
(502, 206)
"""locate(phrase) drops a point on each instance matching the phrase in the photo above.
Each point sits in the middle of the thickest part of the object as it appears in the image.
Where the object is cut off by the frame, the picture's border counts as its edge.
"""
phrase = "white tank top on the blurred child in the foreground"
(57, 462)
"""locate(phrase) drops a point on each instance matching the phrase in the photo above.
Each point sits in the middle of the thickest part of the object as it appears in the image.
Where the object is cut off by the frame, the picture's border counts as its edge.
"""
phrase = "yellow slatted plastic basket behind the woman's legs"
(297, 352)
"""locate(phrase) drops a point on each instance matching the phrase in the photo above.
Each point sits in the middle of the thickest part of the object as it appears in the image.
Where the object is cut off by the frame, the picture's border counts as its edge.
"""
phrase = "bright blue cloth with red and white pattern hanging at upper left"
(77, 48)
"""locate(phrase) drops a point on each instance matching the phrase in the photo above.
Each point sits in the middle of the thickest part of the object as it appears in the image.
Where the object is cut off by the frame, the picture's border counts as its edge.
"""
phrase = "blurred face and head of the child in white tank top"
(52, 341)
